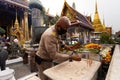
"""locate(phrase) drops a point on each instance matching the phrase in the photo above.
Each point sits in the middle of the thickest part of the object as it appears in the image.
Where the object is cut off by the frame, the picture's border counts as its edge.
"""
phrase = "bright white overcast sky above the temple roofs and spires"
(109, 10)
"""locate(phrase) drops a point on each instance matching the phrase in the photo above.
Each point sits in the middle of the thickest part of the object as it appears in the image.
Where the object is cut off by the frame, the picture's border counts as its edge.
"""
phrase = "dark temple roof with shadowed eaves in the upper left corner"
(8, 9)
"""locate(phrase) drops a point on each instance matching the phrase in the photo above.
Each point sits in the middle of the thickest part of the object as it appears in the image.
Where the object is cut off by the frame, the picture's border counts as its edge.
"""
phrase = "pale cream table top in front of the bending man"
(75, 70)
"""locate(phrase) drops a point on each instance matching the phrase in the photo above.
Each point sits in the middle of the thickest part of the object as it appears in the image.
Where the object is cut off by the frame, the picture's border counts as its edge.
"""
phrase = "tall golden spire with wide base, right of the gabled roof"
(98, 26)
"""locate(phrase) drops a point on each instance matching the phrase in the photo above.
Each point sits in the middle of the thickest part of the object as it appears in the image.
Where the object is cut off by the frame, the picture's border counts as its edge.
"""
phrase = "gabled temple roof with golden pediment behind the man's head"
(75, 15)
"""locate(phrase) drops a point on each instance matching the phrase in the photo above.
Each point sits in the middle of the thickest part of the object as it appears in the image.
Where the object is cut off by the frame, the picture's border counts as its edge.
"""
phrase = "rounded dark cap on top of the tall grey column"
(35, 4)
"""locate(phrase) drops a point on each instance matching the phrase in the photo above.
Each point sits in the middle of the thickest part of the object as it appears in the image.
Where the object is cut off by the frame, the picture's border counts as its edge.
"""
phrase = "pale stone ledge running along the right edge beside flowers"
(114, 68)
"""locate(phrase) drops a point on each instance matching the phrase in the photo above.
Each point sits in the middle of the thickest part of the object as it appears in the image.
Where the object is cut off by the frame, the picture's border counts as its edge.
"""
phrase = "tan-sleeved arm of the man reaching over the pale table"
(52, 49)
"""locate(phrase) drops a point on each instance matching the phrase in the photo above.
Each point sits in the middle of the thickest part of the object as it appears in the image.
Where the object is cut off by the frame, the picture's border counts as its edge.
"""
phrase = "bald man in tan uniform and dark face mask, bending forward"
(48, 47)
